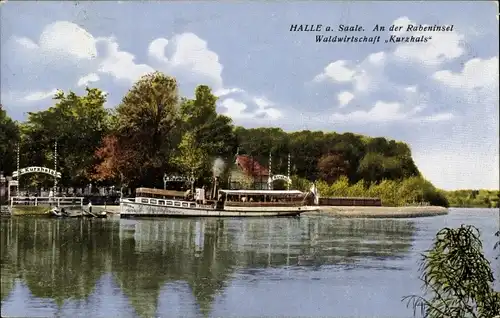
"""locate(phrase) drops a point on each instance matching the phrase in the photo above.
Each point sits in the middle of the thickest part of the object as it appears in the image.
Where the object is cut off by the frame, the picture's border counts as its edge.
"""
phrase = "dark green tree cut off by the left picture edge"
(9, 136)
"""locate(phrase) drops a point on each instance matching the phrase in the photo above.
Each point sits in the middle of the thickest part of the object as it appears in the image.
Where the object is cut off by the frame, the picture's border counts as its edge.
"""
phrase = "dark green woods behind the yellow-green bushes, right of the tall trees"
(327, 156)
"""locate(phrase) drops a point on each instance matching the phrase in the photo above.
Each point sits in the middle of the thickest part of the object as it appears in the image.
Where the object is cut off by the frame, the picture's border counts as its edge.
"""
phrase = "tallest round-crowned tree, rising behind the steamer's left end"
(145, 126)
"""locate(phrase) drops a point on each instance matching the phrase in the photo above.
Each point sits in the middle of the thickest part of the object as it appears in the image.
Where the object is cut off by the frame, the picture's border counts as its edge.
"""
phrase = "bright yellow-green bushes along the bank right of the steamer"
(411, 191)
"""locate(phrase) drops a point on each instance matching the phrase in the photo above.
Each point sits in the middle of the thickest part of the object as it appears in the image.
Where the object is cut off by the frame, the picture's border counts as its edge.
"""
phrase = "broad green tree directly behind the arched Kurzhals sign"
(77, 123)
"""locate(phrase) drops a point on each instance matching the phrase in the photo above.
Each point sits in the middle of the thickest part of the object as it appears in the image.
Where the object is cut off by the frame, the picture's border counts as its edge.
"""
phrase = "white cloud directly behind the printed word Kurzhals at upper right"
(442, 47)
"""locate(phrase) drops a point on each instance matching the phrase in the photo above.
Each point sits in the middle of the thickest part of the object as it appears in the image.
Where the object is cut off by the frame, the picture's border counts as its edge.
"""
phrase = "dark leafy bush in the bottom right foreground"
(457, 277)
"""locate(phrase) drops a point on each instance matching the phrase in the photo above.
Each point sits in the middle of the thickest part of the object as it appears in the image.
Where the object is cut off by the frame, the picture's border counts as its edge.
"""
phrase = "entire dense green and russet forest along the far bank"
(154, 130)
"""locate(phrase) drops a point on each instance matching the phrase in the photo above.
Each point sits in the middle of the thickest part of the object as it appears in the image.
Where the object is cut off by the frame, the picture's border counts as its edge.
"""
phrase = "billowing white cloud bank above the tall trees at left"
(185, 56)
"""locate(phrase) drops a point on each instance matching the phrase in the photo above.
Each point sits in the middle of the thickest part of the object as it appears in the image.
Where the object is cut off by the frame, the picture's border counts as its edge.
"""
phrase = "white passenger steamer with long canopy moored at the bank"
(229, 203)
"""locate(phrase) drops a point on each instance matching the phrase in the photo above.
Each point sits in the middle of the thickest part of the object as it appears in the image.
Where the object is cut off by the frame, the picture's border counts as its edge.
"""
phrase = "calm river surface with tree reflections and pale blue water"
(312, 266)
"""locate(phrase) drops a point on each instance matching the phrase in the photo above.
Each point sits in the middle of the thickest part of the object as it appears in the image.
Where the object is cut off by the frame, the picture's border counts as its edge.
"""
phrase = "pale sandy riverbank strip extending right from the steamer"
(380, 212)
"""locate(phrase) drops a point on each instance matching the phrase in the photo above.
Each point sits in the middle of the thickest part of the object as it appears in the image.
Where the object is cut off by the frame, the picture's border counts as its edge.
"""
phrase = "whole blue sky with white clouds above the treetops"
(439, 96)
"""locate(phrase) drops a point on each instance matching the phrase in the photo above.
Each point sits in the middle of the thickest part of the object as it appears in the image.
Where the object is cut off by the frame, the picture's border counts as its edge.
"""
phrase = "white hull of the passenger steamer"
(130, 208)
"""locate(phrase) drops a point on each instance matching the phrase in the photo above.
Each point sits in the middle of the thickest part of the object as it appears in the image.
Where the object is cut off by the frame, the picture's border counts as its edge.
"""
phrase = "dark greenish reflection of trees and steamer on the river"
(176, 266)
